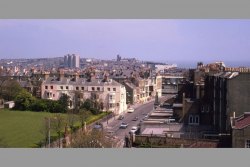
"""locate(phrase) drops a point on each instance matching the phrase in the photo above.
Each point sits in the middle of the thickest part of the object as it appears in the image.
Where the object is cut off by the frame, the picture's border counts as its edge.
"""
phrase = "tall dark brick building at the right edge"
(225, 93)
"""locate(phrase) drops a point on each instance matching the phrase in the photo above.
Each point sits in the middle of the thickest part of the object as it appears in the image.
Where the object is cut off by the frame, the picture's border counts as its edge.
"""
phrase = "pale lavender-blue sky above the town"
(161, 40)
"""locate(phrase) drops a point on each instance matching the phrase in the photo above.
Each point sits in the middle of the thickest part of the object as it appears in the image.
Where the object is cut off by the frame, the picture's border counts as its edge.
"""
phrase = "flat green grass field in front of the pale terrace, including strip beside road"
(22, 129)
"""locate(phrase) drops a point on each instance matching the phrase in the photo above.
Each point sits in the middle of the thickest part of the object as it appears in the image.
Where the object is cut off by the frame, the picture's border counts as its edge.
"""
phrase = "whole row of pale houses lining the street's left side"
(113, 95)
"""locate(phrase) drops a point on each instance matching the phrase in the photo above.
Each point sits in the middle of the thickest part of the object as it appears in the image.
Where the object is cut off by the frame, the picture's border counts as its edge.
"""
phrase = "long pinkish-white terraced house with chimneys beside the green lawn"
(110, 93)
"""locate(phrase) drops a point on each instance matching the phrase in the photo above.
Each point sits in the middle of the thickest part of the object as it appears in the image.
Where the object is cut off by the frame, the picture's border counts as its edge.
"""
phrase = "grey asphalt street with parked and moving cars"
(140, 111)
